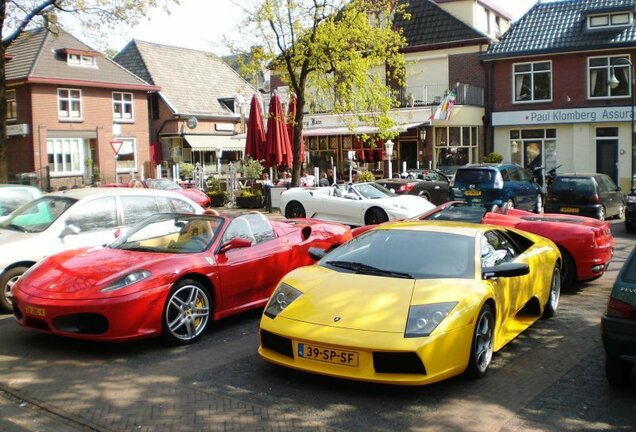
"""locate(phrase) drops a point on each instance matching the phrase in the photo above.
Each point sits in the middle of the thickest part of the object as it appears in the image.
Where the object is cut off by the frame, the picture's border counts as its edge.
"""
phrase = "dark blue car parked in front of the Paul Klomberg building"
(498, 184)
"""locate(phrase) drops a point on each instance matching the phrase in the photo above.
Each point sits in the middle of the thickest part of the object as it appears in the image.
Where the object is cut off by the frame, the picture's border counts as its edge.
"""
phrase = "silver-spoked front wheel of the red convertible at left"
(187, 312)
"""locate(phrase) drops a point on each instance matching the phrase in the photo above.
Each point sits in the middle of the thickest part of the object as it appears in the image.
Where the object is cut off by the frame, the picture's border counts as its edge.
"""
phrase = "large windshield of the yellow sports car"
(422, 254)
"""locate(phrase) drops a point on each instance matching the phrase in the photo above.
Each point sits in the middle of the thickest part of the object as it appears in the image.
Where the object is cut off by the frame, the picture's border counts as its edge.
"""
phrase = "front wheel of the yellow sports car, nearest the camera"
(481, 349)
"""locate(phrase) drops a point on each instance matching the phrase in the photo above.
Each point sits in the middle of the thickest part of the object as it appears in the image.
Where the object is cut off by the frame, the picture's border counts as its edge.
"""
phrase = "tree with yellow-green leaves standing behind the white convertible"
(337, 56)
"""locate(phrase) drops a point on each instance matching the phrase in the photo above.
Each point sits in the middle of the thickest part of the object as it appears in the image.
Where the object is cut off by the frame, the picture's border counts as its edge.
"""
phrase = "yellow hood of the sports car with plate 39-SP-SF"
(360, 302)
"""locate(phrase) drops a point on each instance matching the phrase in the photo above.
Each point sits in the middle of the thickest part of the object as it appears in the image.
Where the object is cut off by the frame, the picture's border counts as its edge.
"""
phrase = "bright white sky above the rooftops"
(200, 24)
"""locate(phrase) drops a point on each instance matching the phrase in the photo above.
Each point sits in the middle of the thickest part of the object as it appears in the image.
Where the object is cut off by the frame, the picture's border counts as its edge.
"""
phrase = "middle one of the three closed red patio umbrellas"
(277, 147)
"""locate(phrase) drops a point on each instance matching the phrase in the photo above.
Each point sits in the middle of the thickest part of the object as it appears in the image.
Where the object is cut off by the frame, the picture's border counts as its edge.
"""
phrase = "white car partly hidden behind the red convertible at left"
(75, 218)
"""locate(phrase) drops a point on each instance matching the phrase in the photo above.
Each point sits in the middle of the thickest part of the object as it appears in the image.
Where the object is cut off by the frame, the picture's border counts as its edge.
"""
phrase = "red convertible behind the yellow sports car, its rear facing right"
(586, 244)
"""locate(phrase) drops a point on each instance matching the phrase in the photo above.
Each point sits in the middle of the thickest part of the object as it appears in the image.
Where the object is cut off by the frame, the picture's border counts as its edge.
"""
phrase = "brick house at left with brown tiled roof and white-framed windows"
(68, 108)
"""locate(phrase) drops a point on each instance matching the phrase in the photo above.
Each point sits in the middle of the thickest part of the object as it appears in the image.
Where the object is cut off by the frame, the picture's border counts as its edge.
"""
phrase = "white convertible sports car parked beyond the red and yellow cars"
(354, 204)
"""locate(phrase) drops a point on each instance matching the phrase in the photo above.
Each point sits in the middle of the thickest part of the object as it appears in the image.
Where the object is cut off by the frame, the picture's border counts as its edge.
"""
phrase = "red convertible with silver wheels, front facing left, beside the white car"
(171, 275)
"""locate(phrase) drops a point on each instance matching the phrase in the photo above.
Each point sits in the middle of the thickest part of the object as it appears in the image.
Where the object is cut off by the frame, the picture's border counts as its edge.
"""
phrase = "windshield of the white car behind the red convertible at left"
(38, 215)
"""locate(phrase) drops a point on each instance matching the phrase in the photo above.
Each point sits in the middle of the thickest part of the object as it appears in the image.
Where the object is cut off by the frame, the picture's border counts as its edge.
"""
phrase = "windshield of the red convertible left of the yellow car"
(171, 233)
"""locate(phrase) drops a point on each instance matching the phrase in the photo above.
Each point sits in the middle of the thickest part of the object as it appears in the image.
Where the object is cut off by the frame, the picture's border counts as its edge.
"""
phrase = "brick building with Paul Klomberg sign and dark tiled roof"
(561, 82)
